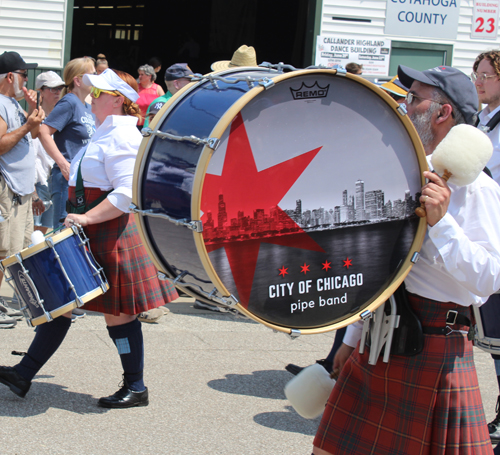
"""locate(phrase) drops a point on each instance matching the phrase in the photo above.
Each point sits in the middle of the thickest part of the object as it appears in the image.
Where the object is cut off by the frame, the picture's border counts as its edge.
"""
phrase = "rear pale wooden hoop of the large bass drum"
(146, 145)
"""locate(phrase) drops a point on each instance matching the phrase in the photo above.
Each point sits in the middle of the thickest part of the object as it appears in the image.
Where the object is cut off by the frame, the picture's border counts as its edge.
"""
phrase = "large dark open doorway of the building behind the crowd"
(198, 32)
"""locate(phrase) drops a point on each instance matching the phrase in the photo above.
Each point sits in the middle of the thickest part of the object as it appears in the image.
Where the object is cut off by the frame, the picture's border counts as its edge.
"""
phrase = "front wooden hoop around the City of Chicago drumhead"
(202, 167)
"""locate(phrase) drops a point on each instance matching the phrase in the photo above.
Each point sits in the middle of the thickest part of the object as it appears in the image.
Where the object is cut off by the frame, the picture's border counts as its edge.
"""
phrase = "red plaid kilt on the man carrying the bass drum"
(426, 404)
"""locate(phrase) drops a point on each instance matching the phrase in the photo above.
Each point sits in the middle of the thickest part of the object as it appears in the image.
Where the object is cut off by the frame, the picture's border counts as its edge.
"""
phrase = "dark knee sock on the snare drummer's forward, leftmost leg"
(48, 338)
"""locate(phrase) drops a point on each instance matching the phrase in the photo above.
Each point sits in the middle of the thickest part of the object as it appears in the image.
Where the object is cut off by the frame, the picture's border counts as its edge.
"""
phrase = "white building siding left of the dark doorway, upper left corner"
(35, 29)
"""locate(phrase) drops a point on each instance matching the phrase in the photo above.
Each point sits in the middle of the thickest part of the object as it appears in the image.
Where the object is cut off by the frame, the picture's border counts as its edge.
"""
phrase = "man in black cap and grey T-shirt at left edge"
(17, 155)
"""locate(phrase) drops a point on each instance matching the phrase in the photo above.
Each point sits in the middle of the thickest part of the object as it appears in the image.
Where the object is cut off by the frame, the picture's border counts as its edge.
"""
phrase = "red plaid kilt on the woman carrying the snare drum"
(132, 277)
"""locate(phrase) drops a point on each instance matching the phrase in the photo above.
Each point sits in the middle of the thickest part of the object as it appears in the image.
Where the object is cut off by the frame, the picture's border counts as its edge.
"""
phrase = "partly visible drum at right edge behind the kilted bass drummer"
(487, 318)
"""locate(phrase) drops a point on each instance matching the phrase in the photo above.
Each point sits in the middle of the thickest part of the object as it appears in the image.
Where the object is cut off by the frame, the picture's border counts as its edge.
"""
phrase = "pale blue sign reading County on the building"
(422, 18)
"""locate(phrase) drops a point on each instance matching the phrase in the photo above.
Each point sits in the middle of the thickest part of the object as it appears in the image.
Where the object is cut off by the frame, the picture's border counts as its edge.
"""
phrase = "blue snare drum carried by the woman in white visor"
(55, 276)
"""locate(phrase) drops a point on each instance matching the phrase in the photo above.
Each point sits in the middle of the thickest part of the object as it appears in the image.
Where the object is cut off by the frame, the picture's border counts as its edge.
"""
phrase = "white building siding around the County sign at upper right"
(465, 49)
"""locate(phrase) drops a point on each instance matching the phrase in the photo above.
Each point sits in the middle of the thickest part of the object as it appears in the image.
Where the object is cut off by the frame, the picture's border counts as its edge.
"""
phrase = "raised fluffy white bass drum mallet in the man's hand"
(460, 157)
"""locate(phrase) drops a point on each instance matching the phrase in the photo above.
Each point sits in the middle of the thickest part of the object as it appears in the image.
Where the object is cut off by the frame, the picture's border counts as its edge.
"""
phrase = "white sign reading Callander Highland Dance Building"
(371, 52)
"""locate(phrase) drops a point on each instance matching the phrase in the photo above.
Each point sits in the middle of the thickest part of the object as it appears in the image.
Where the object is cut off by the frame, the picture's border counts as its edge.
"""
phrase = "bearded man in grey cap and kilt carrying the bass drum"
(429, 402)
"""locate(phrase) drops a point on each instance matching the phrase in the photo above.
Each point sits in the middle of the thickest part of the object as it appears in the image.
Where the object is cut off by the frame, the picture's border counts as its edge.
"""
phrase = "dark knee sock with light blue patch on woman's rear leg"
(130, 344)
